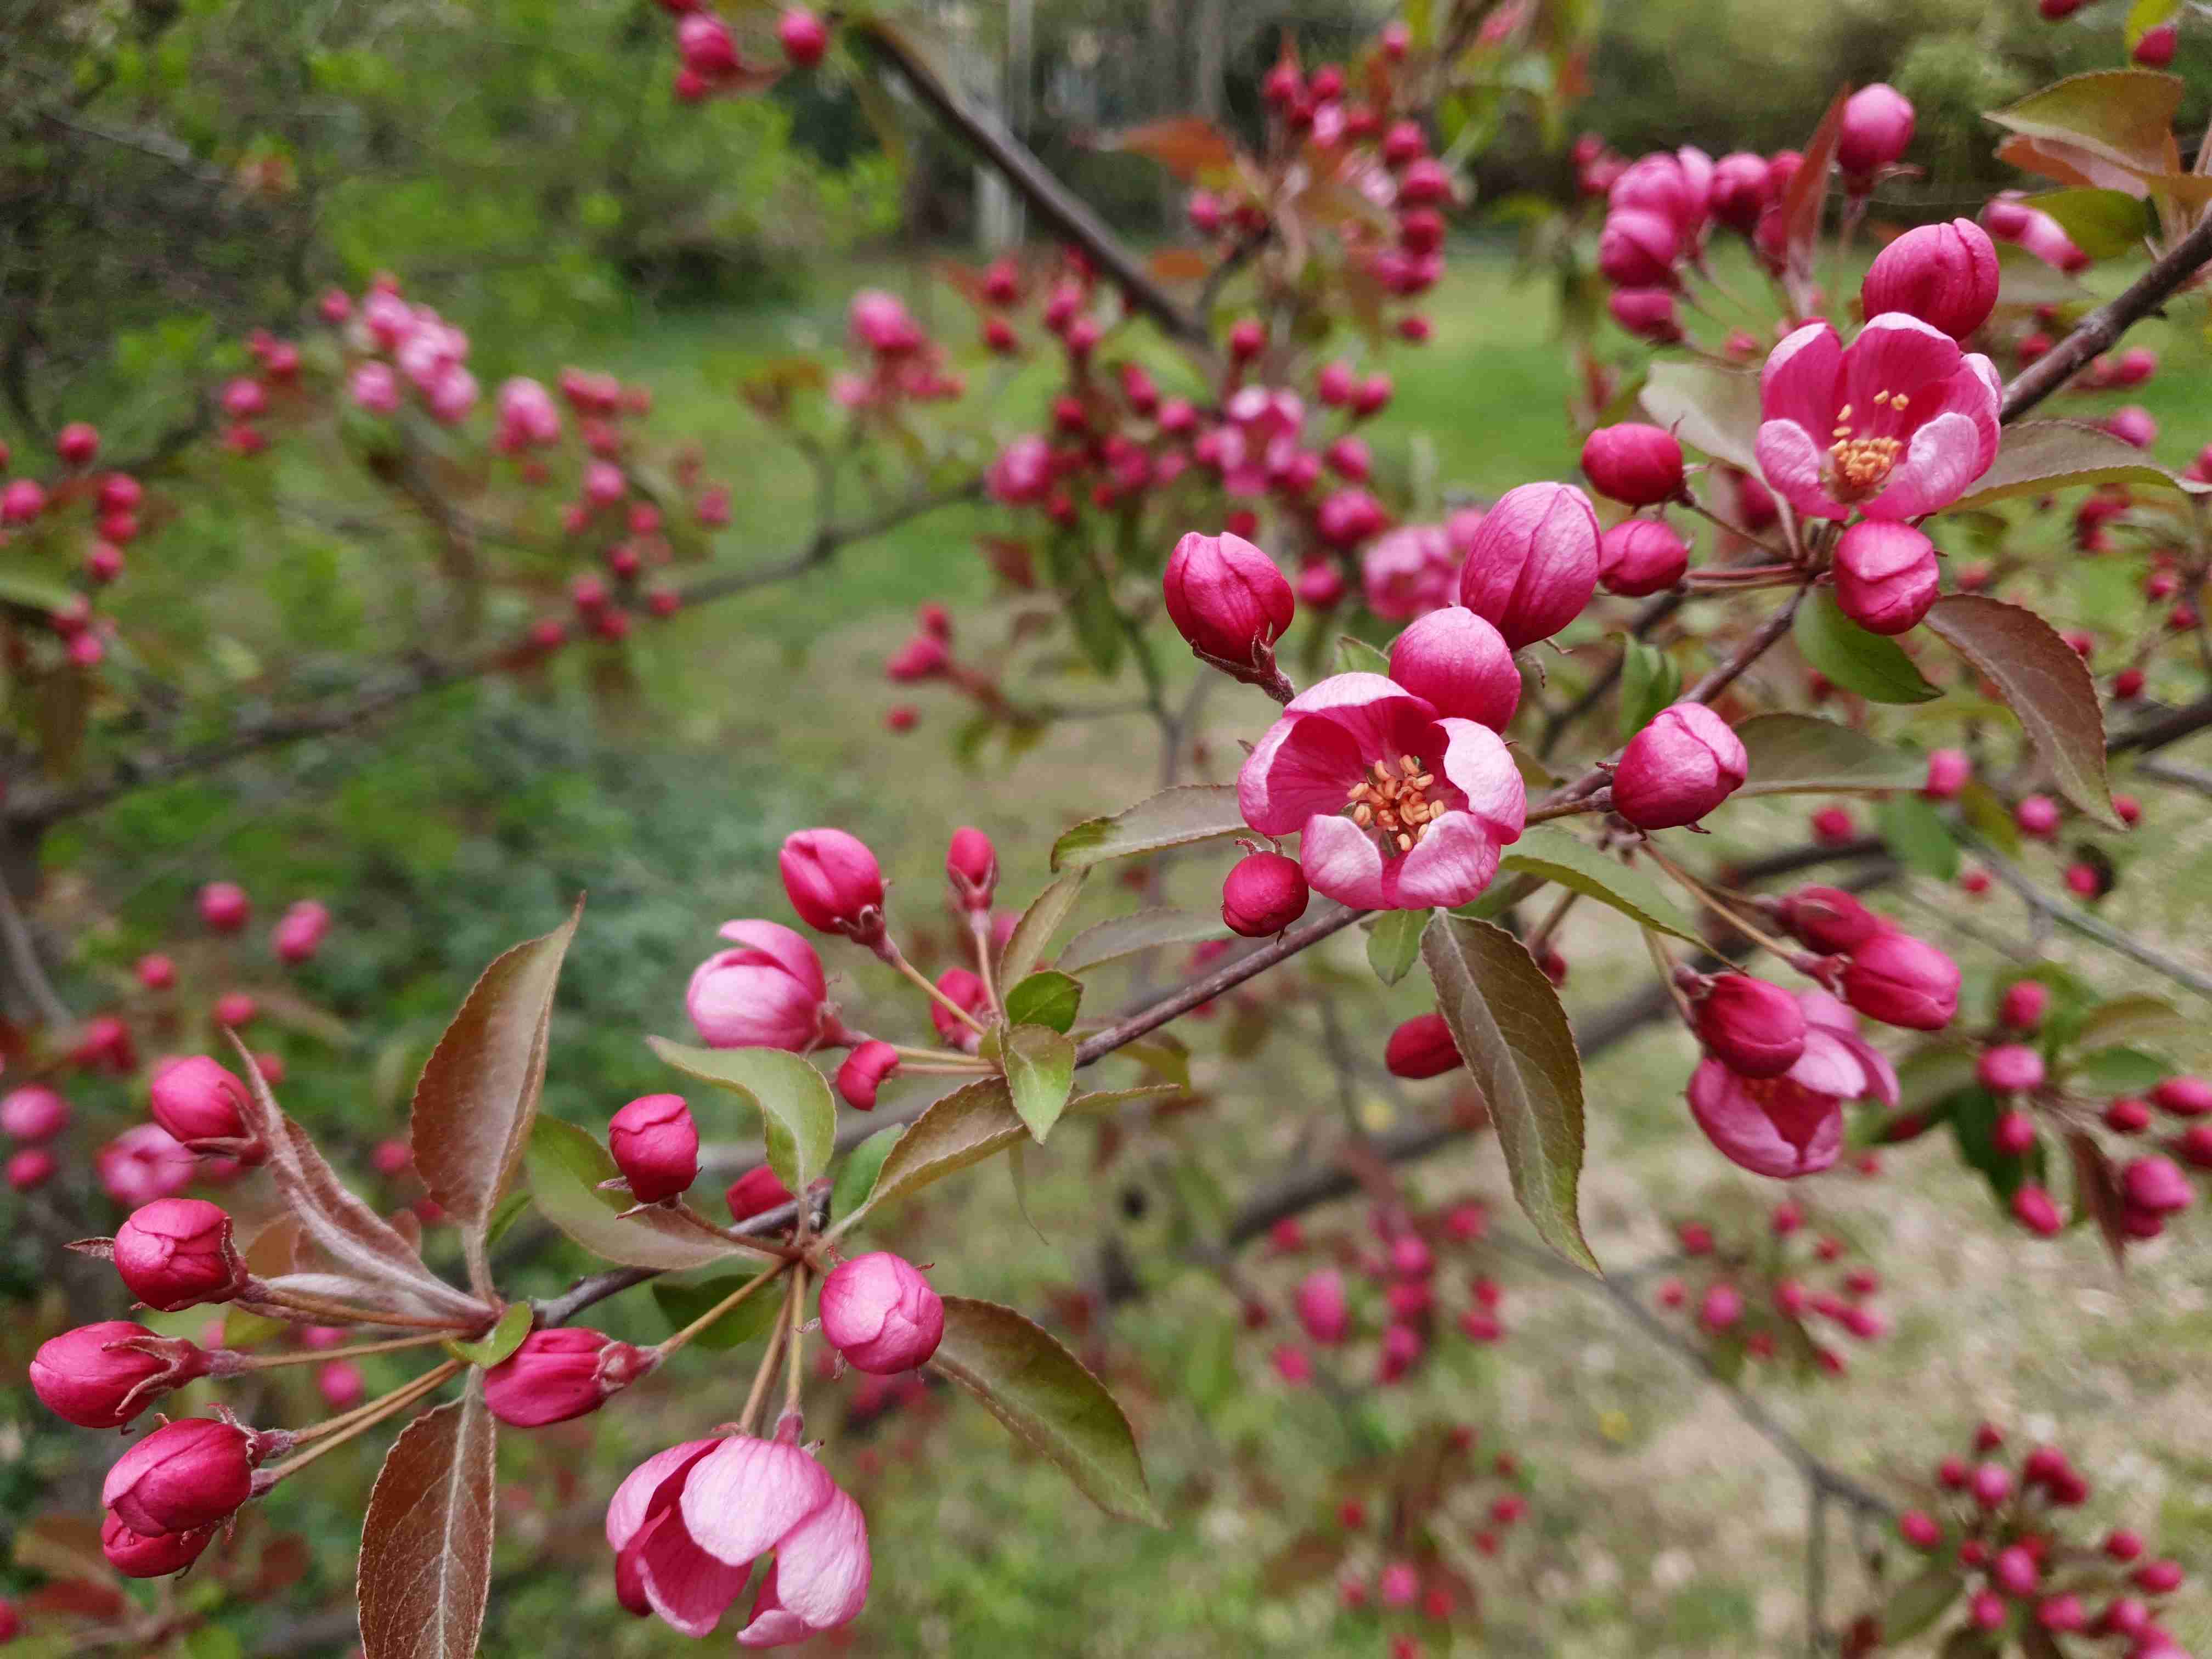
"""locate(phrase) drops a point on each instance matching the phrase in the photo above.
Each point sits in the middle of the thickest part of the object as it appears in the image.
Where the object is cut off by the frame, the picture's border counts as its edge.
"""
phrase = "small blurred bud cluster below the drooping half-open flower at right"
(1760, 1297)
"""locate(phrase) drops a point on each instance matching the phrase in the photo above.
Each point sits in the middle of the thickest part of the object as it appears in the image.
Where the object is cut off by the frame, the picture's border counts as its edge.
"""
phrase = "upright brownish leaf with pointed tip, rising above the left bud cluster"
(479, 1092)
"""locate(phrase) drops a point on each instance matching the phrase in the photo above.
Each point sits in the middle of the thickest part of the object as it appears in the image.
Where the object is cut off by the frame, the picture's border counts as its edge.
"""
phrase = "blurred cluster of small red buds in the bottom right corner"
(2023, 1563)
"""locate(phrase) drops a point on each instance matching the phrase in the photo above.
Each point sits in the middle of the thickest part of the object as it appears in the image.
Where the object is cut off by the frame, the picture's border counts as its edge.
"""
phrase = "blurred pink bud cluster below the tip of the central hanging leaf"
(1419, 1266)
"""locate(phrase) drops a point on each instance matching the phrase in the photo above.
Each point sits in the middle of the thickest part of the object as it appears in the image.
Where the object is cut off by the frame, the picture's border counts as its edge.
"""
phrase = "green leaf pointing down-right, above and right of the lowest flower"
(1047, 1401)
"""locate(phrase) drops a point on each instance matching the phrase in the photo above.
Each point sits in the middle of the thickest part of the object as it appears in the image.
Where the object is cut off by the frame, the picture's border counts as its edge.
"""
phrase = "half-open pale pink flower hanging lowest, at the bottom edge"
(689, 1525)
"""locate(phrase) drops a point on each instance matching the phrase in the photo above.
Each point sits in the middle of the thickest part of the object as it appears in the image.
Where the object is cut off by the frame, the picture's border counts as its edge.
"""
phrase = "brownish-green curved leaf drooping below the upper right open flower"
(2047, 687)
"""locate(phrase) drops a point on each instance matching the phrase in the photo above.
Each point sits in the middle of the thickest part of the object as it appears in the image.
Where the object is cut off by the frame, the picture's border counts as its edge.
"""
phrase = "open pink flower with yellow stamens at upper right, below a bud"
(1895, 426)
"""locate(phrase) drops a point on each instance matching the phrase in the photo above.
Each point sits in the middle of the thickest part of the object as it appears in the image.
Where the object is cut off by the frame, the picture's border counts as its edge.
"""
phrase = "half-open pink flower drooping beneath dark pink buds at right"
(1793, 1125)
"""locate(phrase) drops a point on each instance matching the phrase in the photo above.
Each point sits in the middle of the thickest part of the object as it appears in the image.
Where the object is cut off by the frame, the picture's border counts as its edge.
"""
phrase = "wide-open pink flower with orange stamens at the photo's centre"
(1397, 806)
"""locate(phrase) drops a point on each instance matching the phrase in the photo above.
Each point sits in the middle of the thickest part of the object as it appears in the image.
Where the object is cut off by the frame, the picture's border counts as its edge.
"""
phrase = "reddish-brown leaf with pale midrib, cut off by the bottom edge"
(426, 1541)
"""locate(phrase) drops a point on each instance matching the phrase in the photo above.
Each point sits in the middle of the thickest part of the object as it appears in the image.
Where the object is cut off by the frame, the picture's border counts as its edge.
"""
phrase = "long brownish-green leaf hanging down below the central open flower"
(1514, 1036)
